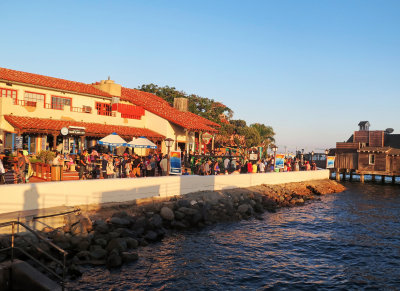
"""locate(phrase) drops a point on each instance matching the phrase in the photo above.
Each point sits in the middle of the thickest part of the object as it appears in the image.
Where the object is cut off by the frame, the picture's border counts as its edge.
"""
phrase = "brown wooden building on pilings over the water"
(375, 153)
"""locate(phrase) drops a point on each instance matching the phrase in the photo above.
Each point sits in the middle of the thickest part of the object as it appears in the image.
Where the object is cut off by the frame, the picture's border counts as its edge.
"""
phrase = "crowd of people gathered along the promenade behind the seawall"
(97, 165)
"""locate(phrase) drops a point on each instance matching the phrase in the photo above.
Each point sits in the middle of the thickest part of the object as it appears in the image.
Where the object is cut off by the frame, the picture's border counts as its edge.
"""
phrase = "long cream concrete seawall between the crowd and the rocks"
(26, 197)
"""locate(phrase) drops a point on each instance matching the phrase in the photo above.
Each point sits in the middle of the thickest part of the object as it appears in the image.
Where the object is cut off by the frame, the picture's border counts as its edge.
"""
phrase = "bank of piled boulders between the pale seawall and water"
(113, 234)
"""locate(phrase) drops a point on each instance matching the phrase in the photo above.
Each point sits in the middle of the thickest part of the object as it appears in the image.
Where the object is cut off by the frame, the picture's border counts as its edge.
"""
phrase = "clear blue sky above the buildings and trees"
(310, 69)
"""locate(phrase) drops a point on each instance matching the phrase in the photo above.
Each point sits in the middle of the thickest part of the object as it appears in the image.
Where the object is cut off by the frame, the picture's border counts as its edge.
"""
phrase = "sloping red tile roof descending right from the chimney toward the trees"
(160, 107)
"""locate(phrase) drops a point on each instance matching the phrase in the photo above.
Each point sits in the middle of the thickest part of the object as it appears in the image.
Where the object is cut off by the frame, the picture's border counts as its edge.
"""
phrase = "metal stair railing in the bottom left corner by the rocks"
(12, 249)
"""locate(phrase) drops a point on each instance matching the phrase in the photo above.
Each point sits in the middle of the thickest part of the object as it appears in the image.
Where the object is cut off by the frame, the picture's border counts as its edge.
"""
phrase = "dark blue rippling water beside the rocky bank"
(345, 241)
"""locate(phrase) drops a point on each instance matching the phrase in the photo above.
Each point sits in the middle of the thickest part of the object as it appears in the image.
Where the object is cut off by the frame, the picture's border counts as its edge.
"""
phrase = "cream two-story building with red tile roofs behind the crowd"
(34, 109)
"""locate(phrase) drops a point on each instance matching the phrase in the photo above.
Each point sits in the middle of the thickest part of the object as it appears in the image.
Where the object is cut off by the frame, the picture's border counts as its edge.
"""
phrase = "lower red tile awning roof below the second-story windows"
(31, 124)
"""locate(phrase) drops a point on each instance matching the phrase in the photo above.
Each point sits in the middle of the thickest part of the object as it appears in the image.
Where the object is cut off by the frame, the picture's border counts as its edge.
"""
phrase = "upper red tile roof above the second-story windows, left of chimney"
(50, 82)
